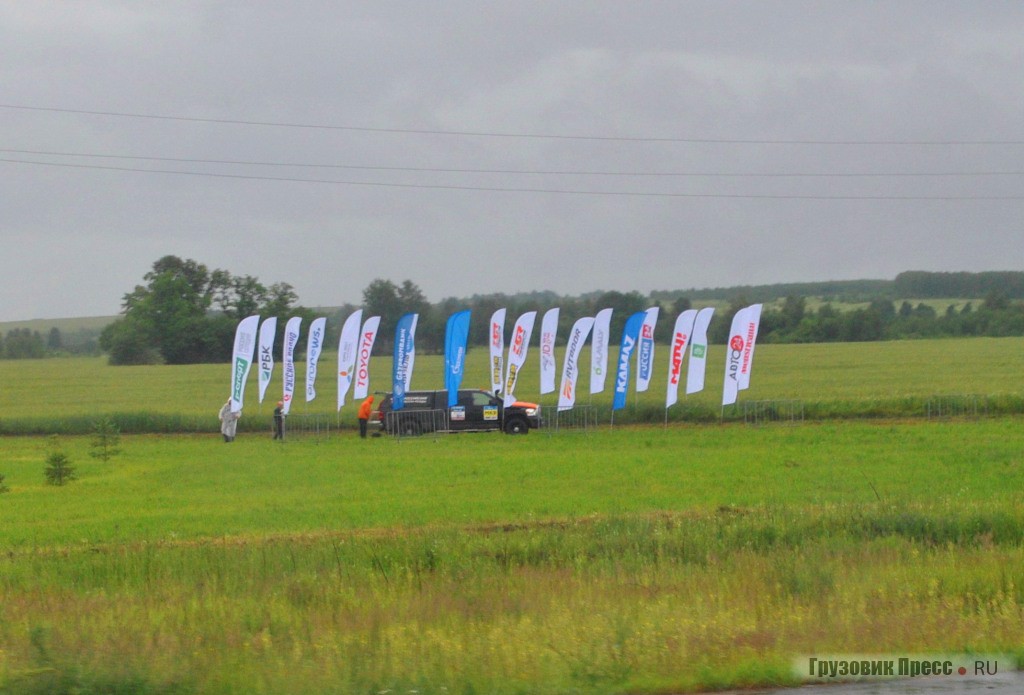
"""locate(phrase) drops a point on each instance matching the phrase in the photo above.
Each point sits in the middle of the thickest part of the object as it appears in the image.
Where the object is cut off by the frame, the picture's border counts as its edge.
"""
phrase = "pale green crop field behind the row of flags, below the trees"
(851, 379)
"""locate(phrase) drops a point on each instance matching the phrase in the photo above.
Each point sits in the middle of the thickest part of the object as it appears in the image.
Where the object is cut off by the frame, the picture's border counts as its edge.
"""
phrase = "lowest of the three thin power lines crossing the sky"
(519, 190)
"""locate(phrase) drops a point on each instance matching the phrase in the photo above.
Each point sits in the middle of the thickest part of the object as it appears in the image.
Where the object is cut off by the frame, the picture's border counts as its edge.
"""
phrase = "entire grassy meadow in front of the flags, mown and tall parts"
(635, 560)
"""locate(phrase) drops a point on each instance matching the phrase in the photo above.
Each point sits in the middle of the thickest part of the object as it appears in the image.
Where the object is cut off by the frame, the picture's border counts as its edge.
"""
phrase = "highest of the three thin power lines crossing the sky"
(498, 135)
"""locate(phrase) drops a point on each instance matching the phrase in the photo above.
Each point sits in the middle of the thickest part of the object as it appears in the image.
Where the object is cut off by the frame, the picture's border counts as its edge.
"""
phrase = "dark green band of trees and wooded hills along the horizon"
(187, 313)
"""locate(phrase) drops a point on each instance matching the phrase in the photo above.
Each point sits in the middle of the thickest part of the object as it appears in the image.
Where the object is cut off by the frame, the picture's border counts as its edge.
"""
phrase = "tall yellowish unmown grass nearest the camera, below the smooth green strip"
(633, 603)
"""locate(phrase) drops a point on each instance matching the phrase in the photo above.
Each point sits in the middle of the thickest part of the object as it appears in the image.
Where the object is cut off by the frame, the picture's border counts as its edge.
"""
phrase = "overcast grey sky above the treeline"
(503, 147)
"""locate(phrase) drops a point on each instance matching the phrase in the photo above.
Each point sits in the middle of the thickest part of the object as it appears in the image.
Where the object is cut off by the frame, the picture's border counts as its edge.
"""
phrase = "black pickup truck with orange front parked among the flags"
(476, 412)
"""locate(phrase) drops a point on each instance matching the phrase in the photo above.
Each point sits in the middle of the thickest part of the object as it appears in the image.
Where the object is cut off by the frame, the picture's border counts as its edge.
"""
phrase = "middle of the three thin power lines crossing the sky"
(537, 172)
